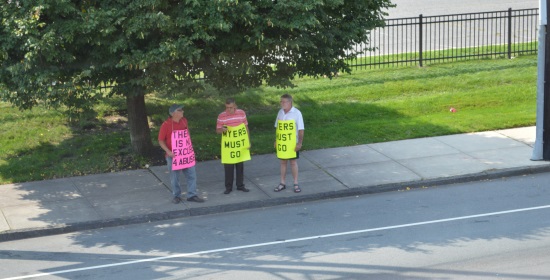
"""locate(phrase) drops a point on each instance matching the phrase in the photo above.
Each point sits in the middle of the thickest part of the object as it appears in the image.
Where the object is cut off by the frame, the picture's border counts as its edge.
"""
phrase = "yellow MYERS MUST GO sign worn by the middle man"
(235, 145)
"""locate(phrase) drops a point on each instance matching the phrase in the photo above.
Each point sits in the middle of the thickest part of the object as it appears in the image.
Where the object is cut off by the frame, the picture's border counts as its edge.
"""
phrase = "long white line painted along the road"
(278, 242)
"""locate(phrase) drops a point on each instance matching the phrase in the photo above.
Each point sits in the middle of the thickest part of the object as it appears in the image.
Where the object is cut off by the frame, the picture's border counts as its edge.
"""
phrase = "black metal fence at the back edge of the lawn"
(422, 40)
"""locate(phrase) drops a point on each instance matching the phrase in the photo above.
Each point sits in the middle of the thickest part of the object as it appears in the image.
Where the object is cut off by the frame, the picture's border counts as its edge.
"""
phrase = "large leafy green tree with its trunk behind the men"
(59, 52)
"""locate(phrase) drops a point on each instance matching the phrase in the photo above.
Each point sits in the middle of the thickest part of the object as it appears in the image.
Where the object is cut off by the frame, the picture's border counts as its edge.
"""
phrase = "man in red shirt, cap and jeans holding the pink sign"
(177, 122)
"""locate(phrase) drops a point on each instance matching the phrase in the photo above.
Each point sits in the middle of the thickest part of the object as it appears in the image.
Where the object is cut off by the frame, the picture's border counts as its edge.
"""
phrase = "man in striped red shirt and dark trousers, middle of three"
(232, 117)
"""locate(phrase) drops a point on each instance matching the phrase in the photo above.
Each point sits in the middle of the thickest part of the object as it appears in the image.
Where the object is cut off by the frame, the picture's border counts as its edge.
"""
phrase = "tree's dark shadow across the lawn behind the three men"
(328, 125)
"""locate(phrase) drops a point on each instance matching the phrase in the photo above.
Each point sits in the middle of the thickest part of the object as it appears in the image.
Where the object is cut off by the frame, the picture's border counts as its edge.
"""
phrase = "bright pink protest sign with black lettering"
(184, 155)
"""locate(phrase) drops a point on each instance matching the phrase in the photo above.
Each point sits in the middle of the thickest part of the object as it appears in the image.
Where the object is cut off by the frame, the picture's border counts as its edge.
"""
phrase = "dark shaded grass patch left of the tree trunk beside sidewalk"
(77, 156)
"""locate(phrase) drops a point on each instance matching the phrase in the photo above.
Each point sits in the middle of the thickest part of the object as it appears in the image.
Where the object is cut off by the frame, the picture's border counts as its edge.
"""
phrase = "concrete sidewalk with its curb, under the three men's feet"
(71, 204)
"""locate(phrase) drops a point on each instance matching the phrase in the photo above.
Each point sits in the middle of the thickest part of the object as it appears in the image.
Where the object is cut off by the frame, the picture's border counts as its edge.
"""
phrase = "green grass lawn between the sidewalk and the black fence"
(368, 106)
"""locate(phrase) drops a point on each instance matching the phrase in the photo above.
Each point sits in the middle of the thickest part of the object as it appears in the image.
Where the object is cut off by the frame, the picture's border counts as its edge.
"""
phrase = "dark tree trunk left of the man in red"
(140, 134)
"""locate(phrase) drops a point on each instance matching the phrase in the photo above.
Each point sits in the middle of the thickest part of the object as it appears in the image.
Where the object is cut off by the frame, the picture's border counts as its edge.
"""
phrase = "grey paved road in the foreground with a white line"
(496, 229)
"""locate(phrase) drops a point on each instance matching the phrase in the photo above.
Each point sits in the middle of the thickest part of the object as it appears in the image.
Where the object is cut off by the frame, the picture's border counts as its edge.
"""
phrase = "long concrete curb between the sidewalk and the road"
(11, 235)
